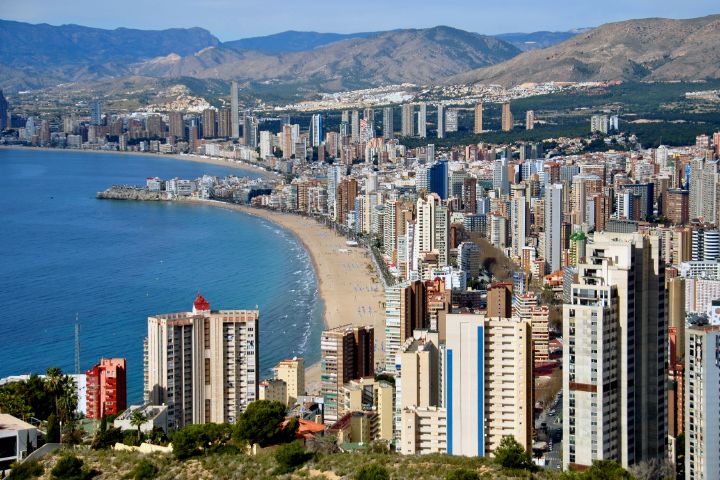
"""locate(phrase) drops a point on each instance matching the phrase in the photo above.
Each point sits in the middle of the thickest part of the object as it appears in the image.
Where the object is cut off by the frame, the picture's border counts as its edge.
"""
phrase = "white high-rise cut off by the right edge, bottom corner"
(702, 402)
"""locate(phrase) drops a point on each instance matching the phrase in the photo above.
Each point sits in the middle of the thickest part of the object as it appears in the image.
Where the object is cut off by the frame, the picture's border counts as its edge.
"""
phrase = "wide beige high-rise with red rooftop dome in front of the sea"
(204, 364)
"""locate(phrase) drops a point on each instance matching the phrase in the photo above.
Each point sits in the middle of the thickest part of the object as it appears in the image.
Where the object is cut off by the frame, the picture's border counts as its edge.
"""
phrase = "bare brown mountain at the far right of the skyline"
(647, 49)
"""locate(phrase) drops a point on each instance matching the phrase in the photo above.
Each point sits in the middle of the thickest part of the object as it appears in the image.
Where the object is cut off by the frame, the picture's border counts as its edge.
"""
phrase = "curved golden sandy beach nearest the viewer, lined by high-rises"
(347, 281)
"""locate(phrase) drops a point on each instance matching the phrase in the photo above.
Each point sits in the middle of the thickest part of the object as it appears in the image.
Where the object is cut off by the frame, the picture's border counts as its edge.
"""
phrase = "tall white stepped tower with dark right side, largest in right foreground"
(615, 354)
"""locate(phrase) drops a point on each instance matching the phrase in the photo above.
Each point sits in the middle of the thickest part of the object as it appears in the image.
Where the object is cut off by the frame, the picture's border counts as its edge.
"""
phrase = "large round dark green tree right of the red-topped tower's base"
(261, 422)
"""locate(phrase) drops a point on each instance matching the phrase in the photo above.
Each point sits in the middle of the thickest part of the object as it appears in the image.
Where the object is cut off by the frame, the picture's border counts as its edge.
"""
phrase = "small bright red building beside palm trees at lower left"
(106, 388)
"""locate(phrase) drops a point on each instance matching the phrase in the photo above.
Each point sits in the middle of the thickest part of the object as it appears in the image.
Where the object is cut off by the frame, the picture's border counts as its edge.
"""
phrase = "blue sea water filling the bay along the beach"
(112, 263)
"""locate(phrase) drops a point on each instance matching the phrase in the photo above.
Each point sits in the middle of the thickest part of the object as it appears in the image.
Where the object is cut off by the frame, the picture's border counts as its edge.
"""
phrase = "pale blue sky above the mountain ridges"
(234, 19)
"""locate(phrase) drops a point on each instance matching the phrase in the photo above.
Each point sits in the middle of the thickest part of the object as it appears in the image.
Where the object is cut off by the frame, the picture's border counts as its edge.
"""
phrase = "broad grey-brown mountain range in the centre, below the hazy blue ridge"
(416, 56)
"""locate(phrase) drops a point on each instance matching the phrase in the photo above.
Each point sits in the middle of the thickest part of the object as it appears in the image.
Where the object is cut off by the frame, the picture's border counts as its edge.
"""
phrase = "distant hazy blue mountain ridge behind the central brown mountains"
(292, 41)
